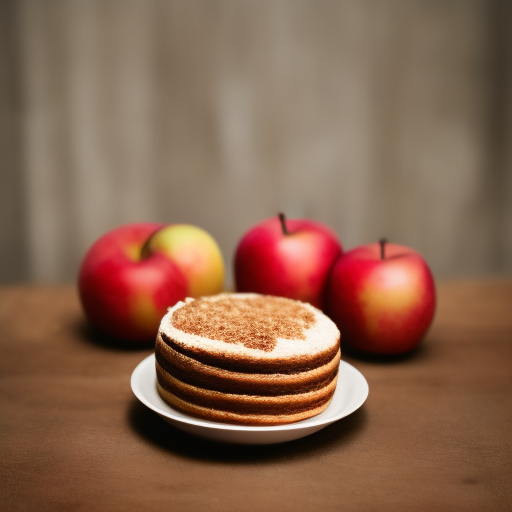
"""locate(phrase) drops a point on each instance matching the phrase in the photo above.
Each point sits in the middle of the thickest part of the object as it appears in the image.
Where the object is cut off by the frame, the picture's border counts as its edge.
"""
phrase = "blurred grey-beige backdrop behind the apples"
(381, 118)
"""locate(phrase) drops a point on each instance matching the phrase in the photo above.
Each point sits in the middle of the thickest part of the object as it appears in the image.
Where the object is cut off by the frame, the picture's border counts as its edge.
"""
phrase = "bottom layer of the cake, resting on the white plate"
(236, 418)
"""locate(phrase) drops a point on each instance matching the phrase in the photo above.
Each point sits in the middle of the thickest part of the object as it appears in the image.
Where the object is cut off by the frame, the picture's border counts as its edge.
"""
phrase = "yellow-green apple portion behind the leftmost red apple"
(196, 254)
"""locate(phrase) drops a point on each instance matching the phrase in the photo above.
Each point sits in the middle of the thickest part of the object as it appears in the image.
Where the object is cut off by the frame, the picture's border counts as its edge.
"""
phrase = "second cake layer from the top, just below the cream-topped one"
(193, 372)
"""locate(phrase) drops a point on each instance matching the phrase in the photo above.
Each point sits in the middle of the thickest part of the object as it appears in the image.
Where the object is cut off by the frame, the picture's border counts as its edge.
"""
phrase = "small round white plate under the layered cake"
(350, 394)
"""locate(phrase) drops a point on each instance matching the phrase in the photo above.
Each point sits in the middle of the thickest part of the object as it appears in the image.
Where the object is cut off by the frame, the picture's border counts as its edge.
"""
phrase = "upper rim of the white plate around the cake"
(193, 421)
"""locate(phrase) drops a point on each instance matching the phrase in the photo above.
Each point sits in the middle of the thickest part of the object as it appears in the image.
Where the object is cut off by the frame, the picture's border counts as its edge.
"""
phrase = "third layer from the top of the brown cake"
(245, 404)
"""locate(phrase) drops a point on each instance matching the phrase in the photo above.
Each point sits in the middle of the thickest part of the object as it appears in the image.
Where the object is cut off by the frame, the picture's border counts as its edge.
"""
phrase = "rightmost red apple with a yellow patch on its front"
(381, 306)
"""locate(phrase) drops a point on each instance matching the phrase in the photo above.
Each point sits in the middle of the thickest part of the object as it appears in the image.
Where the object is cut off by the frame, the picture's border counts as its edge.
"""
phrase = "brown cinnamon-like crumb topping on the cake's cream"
(255, 322)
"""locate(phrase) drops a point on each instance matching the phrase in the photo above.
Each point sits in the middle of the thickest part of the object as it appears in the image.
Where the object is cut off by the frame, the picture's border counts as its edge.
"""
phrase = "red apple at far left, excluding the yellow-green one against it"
(123, 294)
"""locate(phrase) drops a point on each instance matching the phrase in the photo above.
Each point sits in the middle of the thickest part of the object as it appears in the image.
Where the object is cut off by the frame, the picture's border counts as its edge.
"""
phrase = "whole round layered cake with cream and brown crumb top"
(247, 359)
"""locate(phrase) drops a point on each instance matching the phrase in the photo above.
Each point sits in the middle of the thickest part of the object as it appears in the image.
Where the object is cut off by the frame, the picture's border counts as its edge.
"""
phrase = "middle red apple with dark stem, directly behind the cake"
(289, 258)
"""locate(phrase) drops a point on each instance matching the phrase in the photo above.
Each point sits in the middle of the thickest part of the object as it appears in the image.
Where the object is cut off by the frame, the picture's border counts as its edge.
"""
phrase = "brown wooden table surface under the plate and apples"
(435, 432)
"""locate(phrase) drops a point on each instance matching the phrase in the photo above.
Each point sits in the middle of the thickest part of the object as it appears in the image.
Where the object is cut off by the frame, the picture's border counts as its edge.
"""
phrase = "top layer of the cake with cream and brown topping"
(251, 333)
